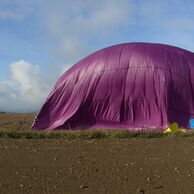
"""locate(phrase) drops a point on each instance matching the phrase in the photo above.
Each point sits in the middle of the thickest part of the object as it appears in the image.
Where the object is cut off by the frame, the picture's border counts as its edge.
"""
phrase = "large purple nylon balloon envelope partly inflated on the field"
(126, 86)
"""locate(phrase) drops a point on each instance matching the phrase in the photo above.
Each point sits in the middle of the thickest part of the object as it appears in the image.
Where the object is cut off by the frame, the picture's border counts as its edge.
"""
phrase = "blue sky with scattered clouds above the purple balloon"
(39, 40)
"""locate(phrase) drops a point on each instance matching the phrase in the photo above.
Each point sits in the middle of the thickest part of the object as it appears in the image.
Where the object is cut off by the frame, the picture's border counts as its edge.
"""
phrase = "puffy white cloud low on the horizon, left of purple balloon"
(27, 88)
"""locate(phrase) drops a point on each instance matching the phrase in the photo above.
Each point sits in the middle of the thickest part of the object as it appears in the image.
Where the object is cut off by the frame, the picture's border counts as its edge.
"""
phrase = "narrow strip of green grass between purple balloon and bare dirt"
(87, 135)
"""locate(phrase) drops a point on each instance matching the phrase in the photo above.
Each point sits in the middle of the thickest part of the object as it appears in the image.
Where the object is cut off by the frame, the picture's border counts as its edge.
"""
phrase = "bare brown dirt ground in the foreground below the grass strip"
(124, 166)
